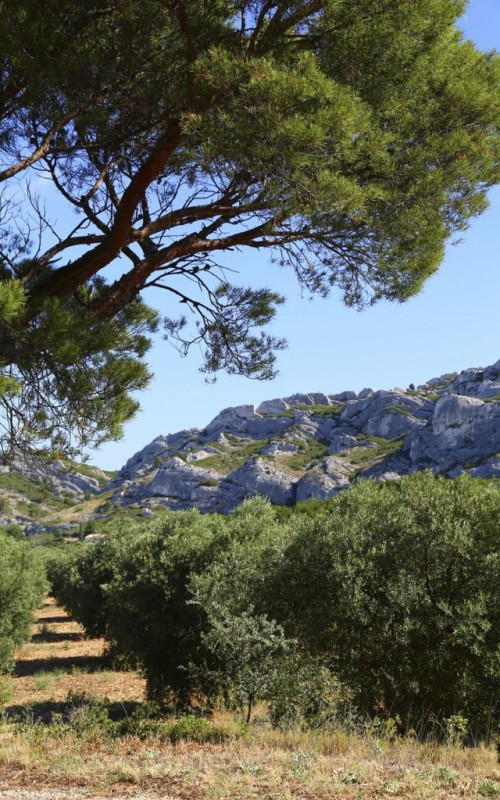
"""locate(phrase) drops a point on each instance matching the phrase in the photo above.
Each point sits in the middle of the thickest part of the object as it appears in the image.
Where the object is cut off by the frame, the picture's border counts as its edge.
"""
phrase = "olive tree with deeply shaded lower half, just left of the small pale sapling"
(150, 616)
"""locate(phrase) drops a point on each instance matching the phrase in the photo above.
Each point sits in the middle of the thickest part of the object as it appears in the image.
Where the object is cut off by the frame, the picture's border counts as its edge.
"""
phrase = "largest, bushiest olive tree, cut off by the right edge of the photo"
(397, 589)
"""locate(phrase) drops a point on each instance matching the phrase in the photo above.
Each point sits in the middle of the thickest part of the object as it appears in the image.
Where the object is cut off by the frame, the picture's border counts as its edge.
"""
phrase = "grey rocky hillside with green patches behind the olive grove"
(289, 449)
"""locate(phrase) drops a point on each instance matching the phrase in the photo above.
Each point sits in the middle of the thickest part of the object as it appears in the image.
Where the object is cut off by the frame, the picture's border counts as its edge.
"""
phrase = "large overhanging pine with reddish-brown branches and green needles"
(350, 140)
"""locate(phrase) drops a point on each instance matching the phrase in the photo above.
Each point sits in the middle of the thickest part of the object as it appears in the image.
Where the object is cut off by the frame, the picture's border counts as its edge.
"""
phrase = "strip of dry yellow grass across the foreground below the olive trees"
(309, 767)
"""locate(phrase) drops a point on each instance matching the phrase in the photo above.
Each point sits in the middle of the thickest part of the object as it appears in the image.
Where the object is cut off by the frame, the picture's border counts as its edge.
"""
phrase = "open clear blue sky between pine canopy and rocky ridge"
(452, 324)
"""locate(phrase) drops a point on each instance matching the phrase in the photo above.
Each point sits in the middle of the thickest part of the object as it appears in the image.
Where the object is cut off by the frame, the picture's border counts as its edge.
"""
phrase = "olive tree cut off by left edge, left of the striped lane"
(22, 586)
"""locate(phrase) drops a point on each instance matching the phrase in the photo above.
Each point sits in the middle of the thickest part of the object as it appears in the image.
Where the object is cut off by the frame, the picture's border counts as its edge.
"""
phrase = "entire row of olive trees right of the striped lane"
(388, 601)
